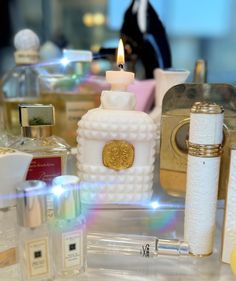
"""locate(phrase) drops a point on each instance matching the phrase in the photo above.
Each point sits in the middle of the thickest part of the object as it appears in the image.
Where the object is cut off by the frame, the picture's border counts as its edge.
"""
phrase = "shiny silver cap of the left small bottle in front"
(31, 203)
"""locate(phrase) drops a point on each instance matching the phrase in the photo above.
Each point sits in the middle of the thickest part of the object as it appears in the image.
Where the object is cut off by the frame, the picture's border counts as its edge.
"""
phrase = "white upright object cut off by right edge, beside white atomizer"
(229, 234)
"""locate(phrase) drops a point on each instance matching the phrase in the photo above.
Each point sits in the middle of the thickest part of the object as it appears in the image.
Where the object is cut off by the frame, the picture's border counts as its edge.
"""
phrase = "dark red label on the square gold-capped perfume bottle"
(45, 168)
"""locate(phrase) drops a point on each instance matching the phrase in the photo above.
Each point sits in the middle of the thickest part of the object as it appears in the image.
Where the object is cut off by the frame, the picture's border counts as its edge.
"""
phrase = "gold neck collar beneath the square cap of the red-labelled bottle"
(37, 131)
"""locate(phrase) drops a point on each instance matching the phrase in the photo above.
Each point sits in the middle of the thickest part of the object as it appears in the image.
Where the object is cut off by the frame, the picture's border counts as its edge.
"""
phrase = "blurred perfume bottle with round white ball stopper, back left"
(20, 84)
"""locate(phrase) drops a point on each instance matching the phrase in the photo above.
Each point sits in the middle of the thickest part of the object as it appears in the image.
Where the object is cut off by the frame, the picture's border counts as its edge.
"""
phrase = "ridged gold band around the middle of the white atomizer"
(205, 150)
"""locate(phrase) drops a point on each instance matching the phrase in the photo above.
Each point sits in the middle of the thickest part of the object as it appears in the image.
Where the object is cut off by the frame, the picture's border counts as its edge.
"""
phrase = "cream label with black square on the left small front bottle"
(38, 257)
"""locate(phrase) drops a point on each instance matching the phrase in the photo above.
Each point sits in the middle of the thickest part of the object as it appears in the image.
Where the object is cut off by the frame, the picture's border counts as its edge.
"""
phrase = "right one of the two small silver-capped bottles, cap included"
(69, 232)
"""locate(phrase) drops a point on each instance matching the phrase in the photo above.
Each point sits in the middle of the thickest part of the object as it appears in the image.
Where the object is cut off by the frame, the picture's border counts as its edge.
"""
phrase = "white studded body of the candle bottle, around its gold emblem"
(100, 184)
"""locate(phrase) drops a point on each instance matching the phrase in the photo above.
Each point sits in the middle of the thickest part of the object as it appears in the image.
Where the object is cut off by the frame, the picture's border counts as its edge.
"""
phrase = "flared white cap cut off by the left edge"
(13, 169)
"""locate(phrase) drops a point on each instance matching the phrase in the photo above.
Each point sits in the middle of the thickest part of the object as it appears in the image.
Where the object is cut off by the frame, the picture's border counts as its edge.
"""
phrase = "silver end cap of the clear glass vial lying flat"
(172, 247)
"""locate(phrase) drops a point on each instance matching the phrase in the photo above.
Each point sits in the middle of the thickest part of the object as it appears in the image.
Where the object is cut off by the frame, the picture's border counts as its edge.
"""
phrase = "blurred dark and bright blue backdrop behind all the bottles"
(196, 29)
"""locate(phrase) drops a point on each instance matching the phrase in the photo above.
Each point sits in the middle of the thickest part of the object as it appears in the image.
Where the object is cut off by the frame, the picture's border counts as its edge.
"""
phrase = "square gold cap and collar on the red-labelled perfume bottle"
(36, 120)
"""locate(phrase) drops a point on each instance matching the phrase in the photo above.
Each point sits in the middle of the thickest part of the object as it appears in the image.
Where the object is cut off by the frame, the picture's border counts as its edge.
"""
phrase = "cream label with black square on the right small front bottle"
(72, 248)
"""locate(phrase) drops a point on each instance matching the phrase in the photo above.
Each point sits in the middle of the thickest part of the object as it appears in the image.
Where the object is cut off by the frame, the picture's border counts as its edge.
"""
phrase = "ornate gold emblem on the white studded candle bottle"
(118, 155)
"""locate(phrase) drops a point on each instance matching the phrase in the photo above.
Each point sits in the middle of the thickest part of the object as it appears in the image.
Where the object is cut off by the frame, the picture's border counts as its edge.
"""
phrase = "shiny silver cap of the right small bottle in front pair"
(67, 203)
